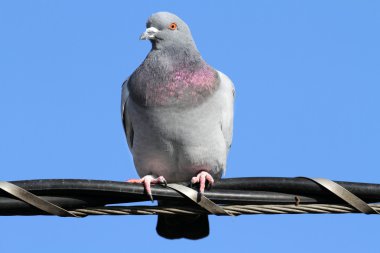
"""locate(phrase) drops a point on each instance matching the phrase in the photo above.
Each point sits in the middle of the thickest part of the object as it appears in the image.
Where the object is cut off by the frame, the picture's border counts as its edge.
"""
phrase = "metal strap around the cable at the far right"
(344, 195)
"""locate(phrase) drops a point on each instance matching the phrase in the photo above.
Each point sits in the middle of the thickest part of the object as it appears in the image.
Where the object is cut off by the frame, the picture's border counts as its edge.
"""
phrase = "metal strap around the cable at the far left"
(34, 200)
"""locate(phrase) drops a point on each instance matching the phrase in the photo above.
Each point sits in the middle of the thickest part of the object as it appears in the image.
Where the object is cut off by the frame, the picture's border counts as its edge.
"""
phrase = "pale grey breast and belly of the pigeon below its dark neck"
(178, 142)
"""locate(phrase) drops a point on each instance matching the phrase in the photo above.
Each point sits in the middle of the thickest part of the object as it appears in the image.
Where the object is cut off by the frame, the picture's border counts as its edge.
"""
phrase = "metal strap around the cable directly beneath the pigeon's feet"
(203, 202)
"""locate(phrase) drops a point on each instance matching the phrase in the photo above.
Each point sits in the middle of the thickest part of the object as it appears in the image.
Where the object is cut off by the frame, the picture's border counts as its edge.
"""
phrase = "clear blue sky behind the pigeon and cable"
(307, 77)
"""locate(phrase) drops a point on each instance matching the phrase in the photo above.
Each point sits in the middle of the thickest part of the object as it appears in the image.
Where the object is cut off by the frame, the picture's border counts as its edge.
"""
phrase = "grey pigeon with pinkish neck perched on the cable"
(177, 113)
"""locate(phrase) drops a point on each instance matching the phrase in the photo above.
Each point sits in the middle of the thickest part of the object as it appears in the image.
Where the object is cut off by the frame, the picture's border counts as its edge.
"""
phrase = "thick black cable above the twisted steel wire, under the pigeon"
(77, 193)
